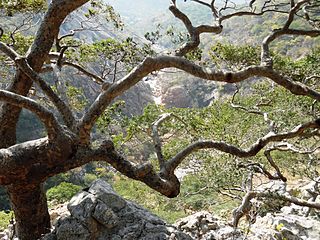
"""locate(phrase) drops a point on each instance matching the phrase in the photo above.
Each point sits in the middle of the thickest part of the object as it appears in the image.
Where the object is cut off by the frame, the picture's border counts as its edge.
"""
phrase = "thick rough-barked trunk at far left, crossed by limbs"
(26, 198)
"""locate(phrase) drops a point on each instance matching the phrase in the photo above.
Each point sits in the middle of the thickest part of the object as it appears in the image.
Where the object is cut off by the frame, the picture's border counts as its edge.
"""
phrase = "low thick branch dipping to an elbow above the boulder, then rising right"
(166, 182)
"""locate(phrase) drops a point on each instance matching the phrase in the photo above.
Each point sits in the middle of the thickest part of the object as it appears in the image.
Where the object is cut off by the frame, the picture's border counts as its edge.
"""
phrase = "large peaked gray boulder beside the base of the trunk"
(99, 213)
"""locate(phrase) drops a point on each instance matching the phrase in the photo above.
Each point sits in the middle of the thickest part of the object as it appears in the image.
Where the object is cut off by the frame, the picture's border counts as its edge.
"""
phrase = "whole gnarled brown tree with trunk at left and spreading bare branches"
(25, 166)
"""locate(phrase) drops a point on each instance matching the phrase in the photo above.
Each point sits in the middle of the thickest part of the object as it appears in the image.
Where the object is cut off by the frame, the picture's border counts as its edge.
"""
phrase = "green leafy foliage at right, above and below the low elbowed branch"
(219, 172)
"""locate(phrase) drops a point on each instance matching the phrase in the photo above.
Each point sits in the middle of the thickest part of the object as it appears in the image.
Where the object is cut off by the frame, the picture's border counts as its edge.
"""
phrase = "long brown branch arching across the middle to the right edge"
(150, 65)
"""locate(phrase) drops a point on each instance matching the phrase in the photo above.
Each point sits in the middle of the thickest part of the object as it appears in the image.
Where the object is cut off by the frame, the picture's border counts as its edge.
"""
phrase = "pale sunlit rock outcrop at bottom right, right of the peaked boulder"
(273, 226)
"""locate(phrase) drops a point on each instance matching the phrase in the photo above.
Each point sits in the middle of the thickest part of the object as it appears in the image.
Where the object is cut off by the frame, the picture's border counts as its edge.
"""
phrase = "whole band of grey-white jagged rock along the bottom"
(100, 213)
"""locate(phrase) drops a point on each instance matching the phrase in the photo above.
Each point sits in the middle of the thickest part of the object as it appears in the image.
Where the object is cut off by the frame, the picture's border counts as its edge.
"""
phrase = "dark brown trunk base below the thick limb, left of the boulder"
(30, 207)
